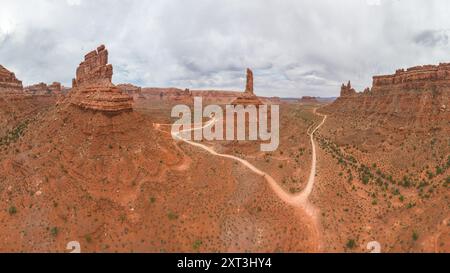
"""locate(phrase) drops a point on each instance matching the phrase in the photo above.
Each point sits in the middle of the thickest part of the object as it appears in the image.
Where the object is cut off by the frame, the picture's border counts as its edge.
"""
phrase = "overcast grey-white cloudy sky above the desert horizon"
(295, 47)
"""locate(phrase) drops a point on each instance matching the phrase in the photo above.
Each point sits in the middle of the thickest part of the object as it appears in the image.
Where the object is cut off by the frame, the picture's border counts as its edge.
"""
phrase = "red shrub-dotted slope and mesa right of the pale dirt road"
(389, 152)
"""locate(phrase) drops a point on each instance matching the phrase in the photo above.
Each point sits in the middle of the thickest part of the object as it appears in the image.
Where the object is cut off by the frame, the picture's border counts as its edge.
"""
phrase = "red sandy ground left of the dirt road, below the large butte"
(113, 183)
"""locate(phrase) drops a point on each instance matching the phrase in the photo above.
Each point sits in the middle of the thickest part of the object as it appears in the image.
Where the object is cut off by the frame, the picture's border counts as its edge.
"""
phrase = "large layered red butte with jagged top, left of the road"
(93, 89)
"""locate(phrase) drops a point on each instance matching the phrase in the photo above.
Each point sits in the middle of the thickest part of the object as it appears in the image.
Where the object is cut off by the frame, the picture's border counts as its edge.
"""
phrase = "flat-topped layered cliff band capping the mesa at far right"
(414, 78)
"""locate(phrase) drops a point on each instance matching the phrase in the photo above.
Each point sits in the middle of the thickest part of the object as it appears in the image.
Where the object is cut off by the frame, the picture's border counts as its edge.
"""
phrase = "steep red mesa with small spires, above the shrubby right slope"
(416, 97)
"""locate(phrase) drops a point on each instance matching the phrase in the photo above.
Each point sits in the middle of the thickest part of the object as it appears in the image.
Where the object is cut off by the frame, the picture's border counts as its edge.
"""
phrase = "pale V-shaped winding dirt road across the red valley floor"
(298, 200)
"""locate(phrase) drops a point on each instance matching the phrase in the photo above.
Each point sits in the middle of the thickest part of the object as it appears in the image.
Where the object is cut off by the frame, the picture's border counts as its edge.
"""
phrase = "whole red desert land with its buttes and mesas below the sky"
(97, 164)
